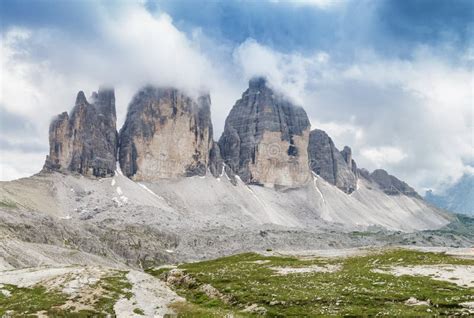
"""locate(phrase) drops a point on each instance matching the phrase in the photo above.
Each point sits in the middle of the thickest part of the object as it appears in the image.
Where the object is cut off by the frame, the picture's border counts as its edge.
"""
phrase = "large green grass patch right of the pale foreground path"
(353, 290)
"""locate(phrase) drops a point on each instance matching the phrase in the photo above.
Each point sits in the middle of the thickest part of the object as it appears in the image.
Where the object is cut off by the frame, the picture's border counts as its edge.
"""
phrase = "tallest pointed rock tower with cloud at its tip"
(265, 138)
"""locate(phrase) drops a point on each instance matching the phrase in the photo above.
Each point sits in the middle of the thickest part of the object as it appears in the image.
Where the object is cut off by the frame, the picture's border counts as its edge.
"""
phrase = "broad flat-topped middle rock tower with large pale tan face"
(166, 134)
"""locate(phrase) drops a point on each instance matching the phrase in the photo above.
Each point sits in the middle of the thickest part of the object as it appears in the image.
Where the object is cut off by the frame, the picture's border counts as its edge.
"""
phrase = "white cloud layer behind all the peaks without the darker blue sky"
(413, 117)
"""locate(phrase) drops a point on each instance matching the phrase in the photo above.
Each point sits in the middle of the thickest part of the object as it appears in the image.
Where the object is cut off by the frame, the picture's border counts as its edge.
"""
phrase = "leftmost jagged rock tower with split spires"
(86, 142)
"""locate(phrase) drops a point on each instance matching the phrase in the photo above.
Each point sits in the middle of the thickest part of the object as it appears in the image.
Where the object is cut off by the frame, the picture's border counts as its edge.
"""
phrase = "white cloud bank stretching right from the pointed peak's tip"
(412, 117)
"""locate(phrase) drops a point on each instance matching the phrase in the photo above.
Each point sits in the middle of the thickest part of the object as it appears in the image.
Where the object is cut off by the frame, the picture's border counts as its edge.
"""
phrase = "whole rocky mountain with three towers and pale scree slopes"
(268, 183)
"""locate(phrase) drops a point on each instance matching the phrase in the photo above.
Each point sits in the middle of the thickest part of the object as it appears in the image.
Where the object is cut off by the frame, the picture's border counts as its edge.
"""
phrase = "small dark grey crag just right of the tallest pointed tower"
(333, 166)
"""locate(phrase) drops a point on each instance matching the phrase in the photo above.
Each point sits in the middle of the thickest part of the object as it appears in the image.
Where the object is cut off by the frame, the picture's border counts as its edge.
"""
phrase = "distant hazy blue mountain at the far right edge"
(457, 198)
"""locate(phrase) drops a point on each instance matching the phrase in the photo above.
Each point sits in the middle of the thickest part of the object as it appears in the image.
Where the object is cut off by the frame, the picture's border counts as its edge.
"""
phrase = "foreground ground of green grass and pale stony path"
(364, 281)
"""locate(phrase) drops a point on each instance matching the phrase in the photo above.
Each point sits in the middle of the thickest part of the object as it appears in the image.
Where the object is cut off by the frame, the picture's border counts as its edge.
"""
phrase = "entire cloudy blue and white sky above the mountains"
(392, 79)
